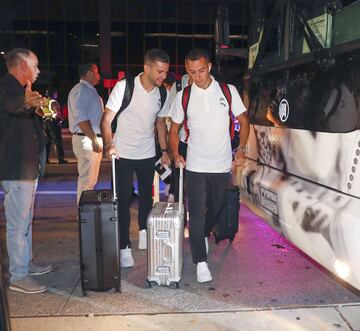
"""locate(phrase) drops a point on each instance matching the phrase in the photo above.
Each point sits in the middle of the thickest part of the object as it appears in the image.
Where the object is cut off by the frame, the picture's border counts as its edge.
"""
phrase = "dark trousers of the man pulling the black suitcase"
(144, 170)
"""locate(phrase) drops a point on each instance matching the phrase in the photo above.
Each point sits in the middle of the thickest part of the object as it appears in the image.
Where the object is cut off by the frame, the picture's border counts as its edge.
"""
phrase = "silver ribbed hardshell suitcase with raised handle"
(165, 236)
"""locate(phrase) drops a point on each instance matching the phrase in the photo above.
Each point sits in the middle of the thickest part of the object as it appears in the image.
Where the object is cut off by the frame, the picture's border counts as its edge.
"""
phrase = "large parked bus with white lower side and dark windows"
(302, 89)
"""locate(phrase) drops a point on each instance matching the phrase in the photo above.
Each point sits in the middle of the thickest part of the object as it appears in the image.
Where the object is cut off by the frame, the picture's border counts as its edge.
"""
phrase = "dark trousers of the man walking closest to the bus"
(206, 194)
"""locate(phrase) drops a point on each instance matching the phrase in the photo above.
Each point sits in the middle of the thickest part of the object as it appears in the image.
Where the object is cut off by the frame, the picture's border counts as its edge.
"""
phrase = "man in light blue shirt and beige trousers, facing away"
(85, 110)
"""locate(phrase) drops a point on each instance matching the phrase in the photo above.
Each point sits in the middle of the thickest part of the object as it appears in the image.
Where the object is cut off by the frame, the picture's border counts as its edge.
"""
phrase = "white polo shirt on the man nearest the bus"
(209, 145)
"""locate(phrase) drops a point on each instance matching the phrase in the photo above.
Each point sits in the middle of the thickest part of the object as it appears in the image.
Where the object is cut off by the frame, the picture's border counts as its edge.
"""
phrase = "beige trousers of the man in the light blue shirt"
(88, 163)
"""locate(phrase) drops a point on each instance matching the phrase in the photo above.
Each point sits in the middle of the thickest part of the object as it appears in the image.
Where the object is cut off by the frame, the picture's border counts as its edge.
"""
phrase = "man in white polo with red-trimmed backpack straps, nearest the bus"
(209, 156)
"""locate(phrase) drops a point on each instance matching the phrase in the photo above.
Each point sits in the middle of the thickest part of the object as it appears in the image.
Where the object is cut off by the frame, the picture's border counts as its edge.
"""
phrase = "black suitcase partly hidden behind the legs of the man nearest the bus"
(228, 224)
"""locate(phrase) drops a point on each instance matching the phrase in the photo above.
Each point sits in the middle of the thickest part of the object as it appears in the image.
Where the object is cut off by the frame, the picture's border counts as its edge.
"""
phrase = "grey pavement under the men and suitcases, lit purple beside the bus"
(260, 281)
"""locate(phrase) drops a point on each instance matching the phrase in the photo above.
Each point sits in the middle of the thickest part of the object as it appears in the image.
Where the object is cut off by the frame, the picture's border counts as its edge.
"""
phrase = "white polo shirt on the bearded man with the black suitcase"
(134, 137)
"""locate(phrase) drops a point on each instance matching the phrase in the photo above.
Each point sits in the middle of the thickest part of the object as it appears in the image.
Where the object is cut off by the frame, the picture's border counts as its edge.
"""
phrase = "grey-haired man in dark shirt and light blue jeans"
(22, 153)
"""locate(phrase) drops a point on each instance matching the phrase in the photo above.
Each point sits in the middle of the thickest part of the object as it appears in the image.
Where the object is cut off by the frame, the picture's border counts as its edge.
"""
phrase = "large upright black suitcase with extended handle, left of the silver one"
(99, 240)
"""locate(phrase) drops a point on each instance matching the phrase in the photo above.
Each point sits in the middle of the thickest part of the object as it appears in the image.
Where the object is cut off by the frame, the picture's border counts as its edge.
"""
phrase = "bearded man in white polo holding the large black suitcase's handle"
(134, 143)
